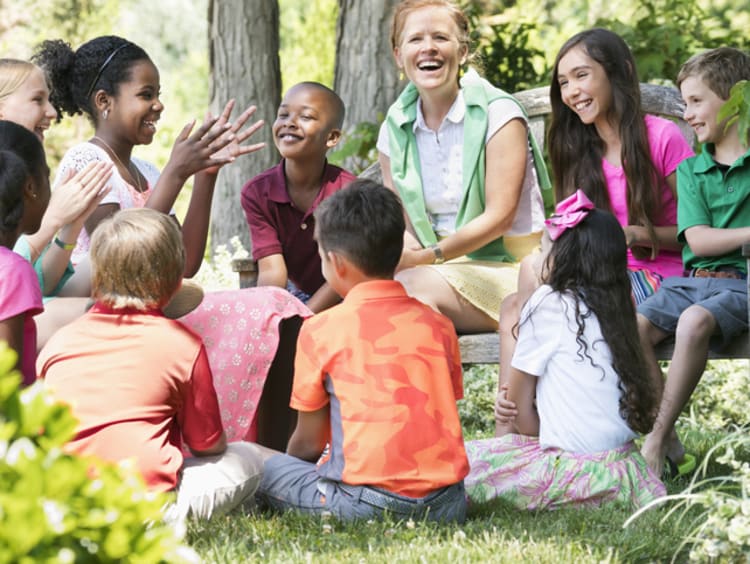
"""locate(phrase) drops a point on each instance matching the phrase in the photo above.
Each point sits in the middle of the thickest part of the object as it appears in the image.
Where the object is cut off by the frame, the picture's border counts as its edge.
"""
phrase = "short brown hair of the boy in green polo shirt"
(719, 68)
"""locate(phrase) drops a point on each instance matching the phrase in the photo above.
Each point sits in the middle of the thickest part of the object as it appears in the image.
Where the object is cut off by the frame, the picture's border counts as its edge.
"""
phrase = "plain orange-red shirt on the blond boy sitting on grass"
(137, 383)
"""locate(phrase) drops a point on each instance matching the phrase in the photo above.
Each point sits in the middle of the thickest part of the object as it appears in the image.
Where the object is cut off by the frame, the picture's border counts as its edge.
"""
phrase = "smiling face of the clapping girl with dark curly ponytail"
(135, 109)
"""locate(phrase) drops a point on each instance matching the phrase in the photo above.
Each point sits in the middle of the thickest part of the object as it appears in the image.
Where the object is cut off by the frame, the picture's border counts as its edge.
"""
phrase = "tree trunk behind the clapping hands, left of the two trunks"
(244, 64)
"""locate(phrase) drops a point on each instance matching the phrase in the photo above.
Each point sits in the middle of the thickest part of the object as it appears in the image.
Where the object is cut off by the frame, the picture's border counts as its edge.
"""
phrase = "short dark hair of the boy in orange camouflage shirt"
(365, 223)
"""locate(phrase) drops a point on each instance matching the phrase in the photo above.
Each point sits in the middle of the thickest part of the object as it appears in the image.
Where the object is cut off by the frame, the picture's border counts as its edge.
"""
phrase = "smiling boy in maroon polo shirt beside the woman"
(279, 203)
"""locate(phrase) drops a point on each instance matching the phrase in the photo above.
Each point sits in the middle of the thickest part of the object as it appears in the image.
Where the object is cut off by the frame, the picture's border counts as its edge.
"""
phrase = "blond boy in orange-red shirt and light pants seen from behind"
(140, 383)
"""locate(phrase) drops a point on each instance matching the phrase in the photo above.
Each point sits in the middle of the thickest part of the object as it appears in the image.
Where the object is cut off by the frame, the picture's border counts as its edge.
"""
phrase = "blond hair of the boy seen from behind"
(137, 259)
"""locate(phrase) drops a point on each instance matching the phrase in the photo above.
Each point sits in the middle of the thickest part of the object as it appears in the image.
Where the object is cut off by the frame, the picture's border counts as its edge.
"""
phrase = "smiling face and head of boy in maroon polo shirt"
(305, 125)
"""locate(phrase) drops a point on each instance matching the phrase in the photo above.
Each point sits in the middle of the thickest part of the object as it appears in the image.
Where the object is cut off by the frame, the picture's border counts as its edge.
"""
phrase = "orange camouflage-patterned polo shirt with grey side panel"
(391, 369)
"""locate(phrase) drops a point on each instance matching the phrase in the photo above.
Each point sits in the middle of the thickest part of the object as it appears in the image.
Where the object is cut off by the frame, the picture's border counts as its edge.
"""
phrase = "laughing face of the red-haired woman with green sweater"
(429, 50)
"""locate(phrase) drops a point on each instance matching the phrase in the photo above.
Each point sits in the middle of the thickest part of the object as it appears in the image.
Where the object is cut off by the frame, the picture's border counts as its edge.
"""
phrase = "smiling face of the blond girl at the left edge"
(29, 105)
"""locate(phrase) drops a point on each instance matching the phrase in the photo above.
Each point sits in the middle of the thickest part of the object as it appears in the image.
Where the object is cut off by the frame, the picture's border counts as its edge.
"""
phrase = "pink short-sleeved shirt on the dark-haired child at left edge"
(20, 294)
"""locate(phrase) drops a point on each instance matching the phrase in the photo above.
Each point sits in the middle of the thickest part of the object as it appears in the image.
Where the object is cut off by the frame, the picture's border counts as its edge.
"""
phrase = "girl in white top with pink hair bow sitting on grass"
(578, 391)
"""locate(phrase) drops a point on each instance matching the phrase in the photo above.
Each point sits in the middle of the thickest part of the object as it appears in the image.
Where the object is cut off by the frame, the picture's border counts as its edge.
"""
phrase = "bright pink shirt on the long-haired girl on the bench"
(668, 149)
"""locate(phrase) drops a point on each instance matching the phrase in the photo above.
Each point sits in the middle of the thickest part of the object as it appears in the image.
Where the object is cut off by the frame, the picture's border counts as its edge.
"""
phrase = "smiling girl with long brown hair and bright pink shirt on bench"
(601, 142)
